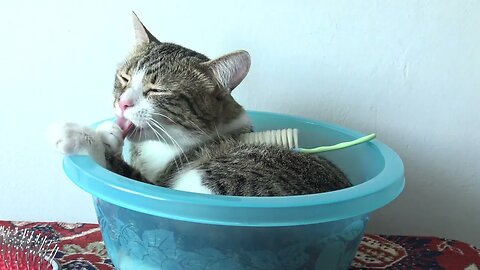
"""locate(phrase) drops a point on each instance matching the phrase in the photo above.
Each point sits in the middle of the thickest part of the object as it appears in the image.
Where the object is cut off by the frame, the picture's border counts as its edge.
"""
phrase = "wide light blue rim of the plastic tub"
(390, 177)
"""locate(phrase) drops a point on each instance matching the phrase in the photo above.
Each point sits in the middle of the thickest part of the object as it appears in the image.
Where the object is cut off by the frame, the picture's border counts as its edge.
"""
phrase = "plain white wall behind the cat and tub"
(408, 70)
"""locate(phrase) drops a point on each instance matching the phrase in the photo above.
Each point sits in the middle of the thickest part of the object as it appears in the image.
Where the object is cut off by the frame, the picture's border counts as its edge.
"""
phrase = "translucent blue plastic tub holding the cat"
(150, 227)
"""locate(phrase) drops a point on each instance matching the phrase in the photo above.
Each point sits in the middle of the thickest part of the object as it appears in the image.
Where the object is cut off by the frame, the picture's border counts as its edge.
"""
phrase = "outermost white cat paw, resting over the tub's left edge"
(71, 138)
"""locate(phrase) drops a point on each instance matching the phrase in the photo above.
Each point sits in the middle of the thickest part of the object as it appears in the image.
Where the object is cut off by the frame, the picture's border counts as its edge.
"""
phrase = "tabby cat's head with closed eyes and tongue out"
(166, 92)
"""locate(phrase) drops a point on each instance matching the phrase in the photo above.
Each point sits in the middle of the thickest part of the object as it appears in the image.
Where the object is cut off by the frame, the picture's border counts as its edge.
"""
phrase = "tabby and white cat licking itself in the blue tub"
(175, 107)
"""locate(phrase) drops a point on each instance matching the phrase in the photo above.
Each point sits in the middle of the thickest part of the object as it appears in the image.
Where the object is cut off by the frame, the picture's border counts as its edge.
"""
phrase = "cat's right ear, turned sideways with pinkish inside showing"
(230, 69)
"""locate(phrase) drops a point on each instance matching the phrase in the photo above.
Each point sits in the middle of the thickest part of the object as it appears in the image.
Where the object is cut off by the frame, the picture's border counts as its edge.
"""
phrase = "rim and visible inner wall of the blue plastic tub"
(375, 170)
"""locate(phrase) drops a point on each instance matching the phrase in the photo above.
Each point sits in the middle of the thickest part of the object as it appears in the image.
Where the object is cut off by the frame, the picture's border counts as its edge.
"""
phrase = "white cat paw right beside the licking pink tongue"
(111, 136)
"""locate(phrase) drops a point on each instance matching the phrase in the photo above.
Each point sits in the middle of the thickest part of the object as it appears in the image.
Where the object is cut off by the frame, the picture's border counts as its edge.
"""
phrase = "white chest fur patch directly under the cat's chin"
(153, 158)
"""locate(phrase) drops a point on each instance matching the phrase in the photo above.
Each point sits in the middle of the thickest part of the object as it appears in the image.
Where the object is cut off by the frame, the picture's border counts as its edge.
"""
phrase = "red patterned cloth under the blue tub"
(82, 248)
